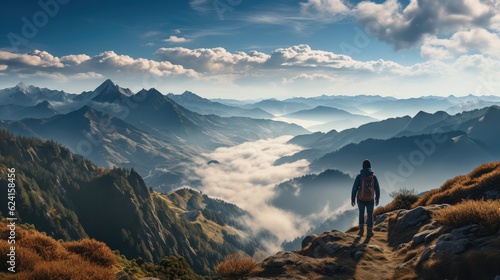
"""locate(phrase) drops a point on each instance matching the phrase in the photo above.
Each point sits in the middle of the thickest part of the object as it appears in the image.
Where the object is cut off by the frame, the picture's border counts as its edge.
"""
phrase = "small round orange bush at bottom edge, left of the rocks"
(234, 266)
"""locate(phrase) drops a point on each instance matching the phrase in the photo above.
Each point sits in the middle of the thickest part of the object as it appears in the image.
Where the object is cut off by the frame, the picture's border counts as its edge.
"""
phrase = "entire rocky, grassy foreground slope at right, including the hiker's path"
(449, 240)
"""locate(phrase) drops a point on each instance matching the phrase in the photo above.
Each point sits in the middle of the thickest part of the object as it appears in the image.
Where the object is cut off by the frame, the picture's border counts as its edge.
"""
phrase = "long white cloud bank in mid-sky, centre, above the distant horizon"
(295, 58)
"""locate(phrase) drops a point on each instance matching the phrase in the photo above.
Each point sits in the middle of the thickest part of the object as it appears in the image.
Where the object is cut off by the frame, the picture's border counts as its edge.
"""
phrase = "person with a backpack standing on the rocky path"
(367, 191)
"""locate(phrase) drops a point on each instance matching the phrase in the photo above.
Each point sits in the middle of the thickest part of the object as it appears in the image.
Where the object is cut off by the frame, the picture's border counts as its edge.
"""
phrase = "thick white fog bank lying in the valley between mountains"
(246, 177)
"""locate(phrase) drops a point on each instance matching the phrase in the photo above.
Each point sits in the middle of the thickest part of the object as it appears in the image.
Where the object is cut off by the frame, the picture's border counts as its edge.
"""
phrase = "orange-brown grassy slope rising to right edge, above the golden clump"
(470, 186)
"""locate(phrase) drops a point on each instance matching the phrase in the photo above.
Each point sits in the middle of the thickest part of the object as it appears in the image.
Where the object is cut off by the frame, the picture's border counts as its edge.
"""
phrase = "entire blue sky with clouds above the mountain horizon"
(251, 49)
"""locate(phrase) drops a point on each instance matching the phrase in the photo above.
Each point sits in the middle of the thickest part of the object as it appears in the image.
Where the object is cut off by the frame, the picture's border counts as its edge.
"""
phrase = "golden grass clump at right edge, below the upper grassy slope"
(484, 213)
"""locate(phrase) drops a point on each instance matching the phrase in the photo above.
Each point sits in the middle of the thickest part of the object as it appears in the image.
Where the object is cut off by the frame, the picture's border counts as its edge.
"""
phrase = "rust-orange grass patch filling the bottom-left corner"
(41, 257)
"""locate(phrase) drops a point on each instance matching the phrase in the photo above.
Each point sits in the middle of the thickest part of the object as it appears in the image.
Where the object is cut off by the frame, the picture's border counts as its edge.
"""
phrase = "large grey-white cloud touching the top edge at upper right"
(405, 27)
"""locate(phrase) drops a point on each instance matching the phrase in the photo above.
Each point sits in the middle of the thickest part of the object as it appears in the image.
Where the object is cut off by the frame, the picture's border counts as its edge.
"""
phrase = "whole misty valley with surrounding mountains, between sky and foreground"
(201, 179)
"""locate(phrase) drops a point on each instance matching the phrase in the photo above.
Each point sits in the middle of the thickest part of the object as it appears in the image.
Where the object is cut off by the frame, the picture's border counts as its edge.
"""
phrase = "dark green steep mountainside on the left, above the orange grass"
(69, 197)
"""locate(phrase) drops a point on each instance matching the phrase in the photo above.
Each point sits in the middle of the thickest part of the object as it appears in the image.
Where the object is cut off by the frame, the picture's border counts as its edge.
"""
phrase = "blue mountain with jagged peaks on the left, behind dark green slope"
(147, 130)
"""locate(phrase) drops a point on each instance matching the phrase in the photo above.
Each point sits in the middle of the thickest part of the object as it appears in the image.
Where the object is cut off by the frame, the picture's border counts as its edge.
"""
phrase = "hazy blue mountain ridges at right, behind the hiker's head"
(404, 149)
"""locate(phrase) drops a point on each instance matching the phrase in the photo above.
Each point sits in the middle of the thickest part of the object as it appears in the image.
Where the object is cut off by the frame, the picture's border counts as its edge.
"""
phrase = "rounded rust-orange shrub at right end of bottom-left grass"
(92, 250)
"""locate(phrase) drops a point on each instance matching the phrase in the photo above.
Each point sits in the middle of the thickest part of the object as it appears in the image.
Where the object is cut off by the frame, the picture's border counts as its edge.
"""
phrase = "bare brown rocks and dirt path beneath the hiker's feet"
(407, 244)
